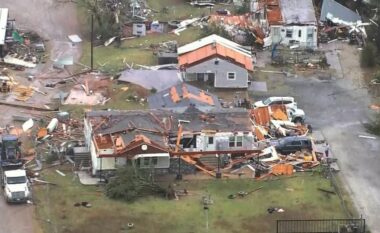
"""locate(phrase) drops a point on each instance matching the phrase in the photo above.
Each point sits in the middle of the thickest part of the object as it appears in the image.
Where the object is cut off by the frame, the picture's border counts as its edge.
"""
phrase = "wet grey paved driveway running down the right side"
(338, 107)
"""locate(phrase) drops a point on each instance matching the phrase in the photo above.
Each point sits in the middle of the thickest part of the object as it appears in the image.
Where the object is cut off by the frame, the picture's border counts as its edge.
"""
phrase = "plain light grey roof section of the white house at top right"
(298, 12)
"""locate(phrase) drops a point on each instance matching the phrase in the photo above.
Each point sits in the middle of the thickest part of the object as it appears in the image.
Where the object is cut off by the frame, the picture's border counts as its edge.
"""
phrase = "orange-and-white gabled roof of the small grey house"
(213, 46)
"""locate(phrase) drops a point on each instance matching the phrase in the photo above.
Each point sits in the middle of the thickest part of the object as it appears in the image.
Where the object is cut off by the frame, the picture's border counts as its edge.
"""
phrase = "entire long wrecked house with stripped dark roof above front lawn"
(148, 139)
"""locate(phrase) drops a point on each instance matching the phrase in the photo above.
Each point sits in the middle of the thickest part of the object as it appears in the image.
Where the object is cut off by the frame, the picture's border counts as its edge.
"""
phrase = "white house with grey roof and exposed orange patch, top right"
(297, 26)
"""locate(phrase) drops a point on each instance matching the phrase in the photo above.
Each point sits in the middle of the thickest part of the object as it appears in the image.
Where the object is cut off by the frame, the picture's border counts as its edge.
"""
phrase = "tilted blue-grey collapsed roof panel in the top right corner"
(331, 8)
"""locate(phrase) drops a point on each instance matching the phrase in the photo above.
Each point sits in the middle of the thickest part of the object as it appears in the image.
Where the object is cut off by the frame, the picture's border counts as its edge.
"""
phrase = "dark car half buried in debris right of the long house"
(292, 144)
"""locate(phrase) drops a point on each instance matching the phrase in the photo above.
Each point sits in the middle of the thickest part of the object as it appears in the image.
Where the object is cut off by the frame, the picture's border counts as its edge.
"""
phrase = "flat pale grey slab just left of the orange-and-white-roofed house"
(158, 79)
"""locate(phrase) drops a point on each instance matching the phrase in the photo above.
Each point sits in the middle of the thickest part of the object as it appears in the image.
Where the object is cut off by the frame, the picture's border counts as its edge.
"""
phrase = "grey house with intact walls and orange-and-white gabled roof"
(217, 61)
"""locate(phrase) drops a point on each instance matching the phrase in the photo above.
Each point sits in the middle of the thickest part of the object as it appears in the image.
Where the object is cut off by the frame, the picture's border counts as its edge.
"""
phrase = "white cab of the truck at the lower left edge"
(16, 186)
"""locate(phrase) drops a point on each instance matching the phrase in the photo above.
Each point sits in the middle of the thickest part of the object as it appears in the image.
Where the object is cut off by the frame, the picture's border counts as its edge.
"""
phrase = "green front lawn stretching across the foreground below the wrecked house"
(297, 195)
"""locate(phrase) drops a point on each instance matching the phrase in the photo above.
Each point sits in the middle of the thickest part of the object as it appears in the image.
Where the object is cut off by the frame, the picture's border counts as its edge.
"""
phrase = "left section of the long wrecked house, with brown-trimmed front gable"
(115, 137)
